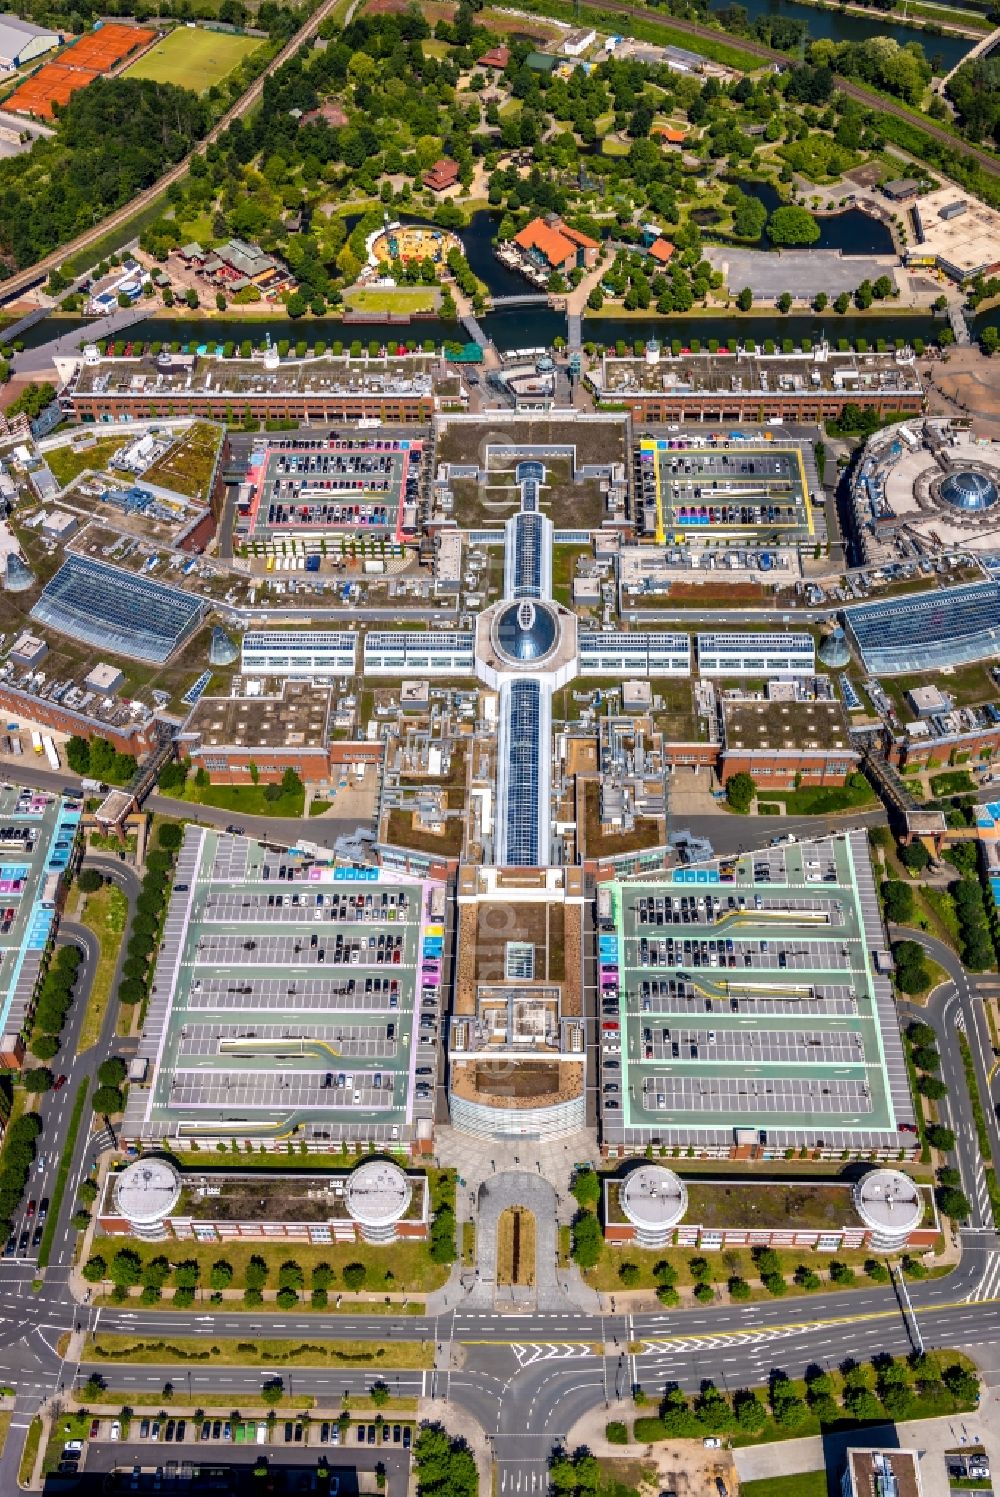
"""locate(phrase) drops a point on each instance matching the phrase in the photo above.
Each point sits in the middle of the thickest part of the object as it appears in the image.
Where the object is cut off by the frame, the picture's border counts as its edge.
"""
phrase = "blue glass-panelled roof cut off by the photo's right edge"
(929, 631)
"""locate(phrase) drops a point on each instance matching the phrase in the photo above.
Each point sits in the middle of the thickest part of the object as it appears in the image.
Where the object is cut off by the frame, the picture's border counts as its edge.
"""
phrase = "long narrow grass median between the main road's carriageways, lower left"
(260, 1354)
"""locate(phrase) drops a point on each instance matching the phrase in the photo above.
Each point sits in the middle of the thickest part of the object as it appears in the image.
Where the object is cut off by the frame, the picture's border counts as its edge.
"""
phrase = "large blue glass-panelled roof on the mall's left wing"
(118, 612)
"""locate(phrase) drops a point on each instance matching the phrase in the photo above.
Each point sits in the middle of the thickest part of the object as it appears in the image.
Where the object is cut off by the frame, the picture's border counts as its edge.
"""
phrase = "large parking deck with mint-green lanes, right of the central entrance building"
(751, 1007)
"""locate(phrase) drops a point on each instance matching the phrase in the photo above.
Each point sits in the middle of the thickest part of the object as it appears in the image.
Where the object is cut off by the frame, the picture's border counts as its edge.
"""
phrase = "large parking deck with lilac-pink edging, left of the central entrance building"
(287, 998)
